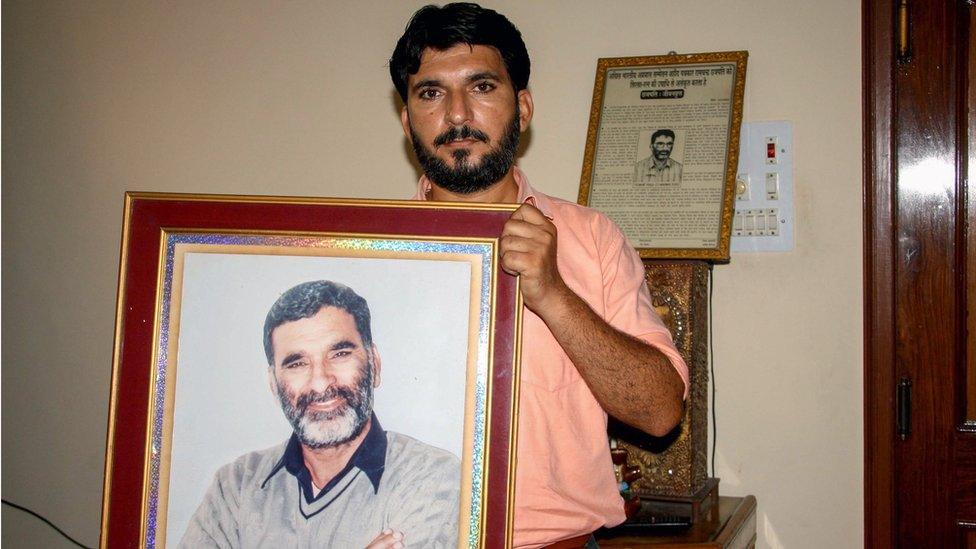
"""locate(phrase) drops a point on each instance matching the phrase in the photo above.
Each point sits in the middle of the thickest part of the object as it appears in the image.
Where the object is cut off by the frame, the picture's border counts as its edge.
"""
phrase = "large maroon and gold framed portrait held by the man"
(199, 387)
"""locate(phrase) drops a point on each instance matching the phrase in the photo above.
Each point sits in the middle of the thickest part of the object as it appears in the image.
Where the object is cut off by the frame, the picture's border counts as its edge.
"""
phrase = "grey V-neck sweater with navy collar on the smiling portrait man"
(267, 499)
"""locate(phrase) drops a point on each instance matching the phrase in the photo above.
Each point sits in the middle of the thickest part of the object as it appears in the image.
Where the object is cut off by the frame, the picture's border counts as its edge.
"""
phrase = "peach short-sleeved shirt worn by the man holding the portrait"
(564, 484)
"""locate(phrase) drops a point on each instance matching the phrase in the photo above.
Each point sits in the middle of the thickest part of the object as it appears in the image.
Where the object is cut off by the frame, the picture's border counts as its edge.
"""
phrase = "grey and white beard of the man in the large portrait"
(331, 428)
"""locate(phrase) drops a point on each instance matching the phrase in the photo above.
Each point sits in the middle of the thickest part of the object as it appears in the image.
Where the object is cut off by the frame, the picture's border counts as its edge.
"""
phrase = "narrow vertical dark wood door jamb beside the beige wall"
(877, 21)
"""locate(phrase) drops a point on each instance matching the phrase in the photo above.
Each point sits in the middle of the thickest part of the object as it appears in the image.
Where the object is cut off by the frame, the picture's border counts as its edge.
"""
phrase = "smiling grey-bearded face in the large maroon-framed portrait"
(324, 377)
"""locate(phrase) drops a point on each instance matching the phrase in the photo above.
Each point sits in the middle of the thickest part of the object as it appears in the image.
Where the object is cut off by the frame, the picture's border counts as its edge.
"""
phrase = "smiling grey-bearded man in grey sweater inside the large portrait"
(340, 480)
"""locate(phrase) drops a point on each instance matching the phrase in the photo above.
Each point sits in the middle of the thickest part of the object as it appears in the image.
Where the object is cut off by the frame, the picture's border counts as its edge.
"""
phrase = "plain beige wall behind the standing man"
(274, 98)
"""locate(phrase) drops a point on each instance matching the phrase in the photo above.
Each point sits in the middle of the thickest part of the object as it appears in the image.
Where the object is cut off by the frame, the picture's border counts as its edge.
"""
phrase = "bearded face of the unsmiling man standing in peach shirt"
(463, 117)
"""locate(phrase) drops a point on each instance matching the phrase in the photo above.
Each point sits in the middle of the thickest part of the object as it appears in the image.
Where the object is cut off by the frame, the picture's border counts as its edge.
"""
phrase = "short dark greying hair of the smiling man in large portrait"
(307, 299)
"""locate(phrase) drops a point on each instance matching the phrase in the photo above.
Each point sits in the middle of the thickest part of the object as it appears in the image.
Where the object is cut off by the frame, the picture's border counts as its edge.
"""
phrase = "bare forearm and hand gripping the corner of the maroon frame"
(632, 381)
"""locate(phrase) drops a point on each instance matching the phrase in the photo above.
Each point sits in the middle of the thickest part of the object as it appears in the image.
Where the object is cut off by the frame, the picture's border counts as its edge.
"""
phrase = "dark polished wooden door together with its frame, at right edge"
(884, 455)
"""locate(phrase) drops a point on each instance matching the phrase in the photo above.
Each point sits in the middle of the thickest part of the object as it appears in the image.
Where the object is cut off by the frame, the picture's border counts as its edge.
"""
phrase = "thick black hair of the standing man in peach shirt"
(441, 28)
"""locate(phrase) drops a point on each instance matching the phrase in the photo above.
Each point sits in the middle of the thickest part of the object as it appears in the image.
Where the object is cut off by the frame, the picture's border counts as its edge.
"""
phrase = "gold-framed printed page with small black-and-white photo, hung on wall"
(662, 151)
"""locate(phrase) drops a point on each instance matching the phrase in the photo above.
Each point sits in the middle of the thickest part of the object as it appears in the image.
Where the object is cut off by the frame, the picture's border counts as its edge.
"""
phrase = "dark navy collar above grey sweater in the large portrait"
(370, 458)
